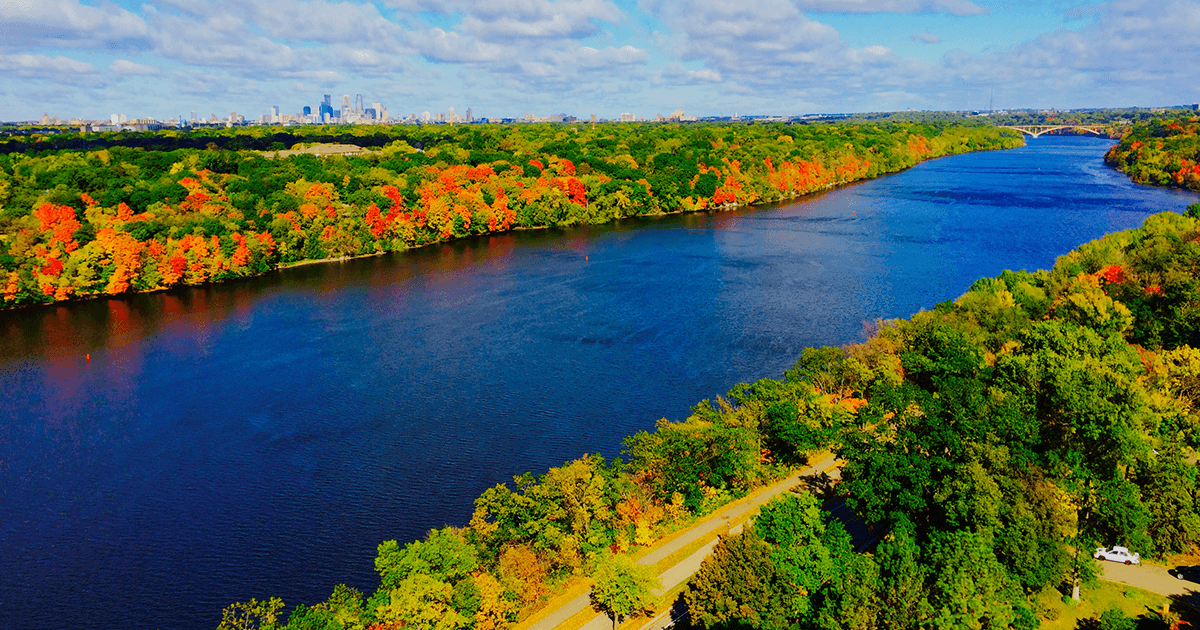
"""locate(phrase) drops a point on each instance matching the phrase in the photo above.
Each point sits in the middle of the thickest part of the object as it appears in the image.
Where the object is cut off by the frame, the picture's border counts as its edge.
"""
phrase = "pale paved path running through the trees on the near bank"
(682, 571)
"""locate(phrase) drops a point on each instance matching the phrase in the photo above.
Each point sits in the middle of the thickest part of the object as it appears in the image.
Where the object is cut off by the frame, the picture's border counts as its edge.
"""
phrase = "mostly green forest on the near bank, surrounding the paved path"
(992, 442)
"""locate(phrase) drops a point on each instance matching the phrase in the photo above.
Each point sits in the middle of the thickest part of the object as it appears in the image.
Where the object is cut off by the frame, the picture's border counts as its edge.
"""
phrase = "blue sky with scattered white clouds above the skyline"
(507, 58)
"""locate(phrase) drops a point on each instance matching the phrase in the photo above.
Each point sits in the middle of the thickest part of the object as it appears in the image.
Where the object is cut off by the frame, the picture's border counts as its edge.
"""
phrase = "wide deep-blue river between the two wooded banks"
(261, 439)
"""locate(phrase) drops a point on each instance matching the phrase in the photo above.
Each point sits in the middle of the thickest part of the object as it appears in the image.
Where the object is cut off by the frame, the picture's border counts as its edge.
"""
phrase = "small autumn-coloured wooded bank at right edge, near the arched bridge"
(1162, 152)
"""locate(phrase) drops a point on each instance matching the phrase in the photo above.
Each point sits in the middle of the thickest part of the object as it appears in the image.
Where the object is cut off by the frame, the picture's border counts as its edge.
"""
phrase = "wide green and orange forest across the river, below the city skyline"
(92, 215)
